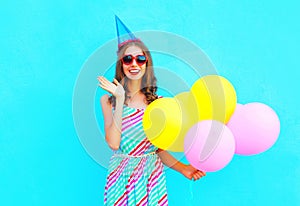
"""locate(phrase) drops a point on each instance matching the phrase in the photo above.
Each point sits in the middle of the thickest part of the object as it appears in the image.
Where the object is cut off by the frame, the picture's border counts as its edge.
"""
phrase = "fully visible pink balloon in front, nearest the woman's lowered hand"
(209, 145)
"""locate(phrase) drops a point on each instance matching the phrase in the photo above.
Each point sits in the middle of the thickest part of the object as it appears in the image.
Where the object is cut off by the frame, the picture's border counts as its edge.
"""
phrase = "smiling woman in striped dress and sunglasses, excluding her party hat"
(136, 175)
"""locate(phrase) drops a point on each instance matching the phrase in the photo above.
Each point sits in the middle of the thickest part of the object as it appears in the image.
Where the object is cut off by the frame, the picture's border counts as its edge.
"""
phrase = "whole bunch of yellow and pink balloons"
(209, 126)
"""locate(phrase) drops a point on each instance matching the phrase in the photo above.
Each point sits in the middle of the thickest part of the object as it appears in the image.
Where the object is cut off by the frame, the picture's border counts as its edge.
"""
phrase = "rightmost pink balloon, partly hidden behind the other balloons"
(255, 127)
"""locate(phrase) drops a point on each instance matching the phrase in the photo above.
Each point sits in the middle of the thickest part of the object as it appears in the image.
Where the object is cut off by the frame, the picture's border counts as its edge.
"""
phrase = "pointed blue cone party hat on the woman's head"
(124, 34)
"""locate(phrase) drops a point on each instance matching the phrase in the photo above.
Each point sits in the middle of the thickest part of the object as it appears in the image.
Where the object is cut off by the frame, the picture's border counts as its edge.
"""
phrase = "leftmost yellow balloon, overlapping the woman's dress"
(162, 122)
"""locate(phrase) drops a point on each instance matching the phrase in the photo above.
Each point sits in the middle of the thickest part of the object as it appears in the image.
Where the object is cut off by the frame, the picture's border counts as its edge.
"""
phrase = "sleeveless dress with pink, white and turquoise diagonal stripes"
(135, 173)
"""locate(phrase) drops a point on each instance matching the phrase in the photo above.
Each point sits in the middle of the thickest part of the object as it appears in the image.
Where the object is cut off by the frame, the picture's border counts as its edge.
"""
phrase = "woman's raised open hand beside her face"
(115, 88)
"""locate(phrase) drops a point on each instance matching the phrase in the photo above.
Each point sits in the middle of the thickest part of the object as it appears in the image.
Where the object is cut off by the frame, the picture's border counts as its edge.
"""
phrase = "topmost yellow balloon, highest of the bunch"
(215, 97)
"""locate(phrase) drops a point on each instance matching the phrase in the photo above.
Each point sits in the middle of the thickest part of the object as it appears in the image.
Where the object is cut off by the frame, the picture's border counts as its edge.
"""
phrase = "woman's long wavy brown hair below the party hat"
(148, 87)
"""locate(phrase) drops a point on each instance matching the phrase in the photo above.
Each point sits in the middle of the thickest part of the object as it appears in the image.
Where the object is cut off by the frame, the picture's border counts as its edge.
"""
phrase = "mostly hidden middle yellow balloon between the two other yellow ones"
(189, 116)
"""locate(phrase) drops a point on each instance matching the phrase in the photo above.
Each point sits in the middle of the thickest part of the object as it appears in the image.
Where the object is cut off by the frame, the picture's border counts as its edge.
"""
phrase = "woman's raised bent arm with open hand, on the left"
(112, 121)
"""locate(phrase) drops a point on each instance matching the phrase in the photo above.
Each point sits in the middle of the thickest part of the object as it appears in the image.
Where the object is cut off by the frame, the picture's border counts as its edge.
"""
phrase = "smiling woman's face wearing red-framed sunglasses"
(134, 69)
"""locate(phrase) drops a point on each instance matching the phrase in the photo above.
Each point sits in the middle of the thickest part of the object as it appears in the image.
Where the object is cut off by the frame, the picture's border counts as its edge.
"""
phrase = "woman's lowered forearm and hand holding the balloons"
(187, 170)
